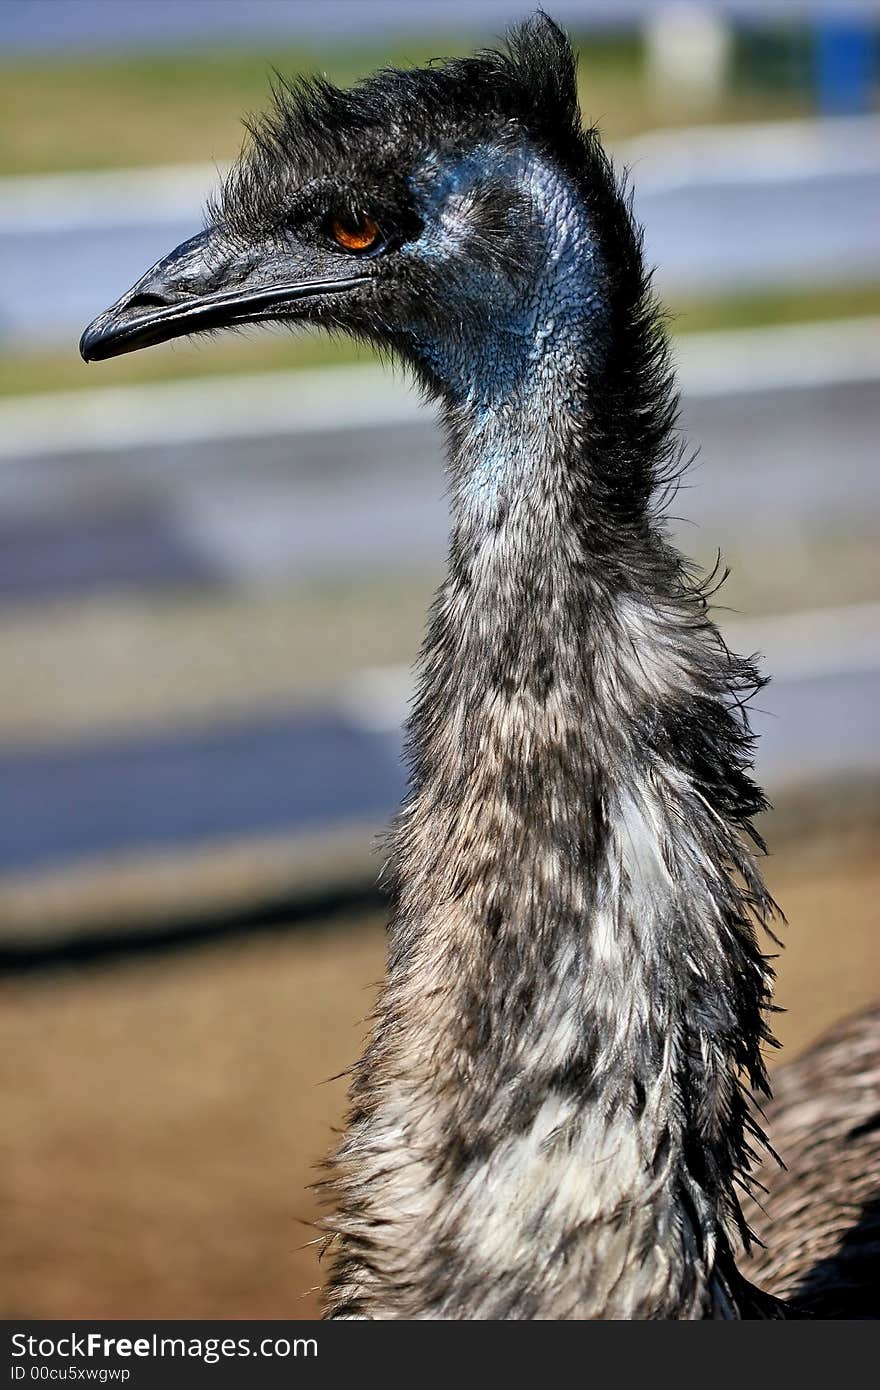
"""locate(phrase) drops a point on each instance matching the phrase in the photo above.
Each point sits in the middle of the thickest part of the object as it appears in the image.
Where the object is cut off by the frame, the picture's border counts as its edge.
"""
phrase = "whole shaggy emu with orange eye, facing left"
(553, 1118)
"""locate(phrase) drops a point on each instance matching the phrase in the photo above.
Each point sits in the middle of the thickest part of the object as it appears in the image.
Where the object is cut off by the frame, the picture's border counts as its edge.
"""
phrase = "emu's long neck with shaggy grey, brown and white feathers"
(548, 1122)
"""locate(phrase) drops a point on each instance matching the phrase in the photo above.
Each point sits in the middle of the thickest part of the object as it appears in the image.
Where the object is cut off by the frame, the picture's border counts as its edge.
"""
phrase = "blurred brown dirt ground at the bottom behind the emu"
(163, 1118)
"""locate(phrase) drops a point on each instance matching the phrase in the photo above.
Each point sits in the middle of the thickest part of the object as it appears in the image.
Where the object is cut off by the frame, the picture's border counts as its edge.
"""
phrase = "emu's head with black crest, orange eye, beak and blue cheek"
(436, 212)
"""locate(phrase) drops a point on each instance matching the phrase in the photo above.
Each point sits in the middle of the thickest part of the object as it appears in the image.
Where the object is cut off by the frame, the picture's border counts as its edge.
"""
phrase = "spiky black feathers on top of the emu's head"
(370, 137)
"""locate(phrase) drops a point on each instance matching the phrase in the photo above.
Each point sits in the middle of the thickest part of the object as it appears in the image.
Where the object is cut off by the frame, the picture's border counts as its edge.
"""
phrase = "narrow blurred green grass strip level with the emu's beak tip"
(279, 351)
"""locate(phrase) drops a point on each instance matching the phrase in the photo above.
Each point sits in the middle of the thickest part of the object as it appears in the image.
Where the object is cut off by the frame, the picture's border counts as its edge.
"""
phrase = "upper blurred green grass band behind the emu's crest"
(174, 108)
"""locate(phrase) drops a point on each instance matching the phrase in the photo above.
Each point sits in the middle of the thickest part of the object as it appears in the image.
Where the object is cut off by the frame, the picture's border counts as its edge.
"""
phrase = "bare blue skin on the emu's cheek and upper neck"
(521, 316)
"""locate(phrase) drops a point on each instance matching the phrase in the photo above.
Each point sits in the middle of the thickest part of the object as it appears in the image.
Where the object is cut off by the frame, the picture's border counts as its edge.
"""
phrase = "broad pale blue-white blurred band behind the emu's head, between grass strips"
(746, 208)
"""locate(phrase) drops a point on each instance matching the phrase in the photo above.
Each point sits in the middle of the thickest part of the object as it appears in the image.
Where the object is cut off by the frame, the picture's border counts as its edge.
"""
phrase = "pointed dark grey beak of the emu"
(197, 287)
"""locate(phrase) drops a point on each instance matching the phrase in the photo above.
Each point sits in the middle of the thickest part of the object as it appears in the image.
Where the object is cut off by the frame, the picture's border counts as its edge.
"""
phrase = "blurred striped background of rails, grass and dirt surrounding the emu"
(216, 559)
